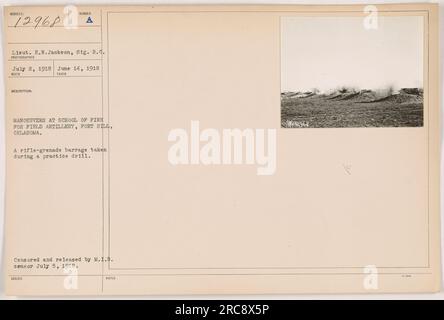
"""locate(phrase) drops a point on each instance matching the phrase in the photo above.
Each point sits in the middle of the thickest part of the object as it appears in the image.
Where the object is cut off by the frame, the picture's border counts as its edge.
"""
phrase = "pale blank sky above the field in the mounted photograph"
(330, 52)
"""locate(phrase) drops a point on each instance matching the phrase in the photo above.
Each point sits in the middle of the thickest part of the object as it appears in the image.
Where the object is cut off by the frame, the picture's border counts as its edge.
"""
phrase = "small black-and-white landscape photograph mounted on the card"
(338, 72)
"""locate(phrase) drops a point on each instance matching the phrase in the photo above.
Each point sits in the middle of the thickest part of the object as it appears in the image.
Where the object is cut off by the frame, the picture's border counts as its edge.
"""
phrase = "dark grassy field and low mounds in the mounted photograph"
(351, 108)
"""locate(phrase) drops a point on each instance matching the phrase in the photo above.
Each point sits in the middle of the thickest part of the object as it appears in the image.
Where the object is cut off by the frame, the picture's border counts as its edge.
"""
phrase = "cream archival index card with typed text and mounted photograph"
(222, 149)
